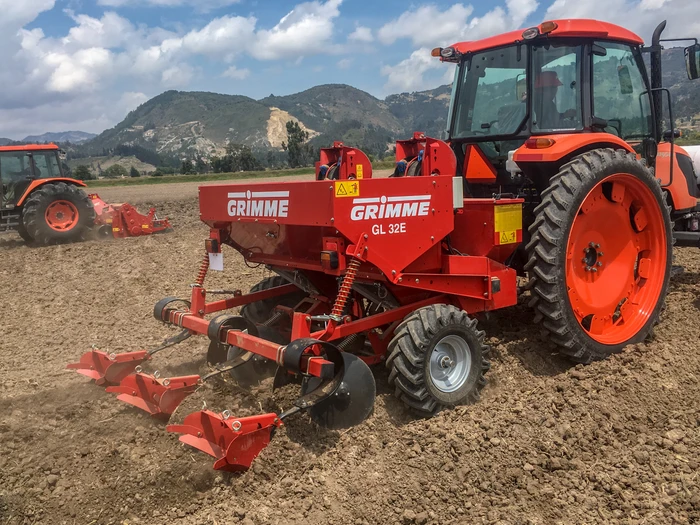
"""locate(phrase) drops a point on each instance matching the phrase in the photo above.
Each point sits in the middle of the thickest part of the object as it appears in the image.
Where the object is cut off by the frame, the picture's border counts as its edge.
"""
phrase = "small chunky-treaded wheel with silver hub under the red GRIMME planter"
(437, 359)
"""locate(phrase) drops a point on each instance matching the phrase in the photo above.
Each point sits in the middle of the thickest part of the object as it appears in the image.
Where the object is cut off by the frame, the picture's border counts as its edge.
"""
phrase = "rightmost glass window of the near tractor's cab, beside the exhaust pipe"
(620, 95)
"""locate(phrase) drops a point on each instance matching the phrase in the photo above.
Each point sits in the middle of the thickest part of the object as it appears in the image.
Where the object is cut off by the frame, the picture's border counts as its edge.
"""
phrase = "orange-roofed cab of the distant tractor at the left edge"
(21, 165)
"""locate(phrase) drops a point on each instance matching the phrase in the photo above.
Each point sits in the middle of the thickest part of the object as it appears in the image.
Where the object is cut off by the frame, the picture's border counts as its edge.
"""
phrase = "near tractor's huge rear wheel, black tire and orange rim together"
(599, 258)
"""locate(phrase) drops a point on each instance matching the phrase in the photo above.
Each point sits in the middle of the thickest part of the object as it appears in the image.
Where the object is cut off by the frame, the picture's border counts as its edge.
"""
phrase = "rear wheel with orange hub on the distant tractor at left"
(58, 213)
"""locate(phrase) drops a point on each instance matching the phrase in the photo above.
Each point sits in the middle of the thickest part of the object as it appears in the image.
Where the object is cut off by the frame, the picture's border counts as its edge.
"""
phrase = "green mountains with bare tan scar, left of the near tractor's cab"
(176, 123)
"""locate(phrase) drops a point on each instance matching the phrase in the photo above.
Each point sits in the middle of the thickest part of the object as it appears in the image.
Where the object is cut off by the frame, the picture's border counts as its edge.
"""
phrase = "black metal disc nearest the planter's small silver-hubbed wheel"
(353, 401)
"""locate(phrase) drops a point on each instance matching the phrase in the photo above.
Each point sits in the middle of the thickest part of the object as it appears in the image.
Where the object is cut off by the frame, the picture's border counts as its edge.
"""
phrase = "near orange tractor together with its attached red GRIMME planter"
(558, 169)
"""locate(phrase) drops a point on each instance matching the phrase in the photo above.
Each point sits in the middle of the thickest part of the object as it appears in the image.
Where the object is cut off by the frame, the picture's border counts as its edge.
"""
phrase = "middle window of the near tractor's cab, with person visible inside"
(556, 100)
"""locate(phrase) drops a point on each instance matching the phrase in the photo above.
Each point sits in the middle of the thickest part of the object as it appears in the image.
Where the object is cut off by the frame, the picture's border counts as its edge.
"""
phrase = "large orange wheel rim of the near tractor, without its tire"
(616, 259)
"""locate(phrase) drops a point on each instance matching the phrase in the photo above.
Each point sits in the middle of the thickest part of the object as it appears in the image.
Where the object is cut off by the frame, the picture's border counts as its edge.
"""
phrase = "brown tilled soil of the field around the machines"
(614, 442)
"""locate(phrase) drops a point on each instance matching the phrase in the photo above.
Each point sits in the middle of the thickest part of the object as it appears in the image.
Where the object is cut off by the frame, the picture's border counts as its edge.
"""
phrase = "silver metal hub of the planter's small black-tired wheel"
(450, 363)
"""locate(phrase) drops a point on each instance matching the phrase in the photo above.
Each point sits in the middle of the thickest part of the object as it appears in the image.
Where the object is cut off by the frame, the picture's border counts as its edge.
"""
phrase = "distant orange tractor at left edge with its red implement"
(44, 206)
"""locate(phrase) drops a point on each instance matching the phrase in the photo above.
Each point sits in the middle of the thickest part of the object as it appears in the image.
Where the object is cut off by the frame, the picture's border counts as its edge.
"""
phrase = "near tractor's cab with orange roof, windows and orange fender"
(526, 102)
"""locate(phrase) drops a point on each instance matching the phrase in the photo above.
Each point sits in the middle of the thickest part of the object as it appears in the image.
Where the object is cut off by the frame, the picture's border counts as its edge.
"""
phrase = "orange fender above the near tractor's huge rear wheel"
(567, 146)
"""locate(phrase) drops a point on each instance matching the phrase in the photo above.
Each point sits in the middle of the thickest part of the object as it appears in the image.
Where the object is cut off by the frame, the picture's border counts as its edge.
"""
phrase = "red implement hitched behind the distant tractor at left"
(124, 220)
